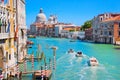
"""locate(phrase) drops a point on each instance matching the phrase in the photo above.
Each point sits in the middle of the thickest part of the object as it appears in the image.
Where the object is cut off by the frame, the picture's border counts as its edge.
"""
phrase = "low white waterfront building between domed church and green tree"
(66, 30)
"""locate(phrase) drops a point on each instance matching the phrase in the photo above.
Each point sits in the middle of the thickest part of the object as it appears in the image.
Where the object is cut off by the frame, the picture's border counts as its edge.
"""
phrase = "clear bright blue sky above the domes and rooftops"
(70, 11)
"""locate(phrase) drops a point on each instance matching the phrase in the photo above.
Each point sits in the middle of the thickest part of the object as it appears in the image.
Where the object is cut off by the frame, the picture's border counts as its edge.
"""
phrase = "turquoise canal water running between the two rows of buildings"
(69, 67)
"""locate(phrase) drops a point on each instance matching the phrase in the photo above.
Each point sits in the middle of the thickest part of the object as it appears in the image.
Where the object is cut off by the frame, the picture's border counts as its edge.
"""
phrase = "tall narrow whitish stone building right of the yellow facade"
(22, 29)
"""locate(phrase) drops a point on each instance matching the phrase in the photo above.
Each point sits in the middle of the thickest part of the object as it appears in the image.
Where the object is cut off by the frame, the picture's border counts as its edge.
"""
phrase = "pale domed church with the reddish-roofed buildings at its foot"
(42, 24)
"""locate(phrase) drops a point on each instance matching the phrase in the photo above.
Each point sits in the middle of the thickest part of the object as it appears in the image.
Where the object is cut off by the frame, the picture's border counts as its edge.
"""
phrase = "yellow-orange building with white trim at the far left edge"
(7, 29)
